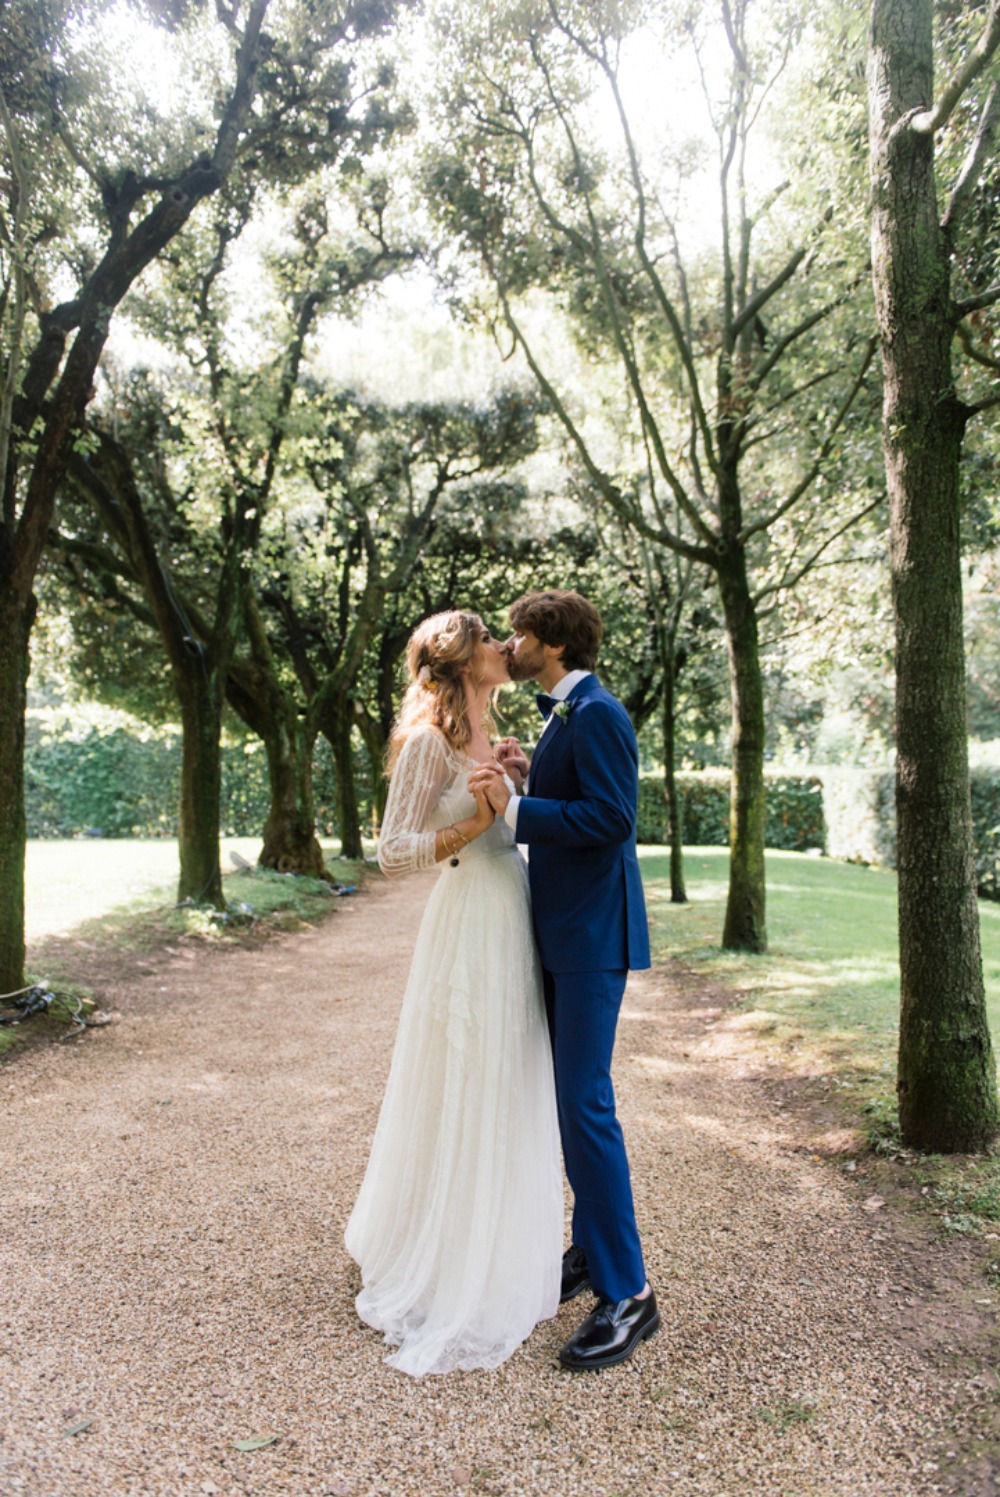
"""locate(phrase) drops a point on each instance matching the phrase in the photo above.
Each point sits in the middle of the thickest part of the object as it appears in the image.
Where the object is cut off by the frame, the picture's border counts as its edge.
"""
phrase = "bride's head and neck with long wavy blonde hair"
(436, 695)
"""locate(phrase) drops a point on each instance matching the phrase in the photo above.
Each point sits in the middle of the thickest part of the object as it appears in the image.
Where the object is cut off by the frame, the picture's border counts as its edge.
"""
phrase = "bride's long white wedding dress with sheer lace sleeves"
(459, 1227)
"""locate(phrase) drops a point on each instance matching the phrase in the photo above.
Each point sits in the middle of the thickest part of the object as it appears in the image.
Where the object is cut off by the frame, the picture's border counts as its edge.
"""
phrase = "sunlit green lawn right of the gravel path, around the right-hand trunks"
(827, 996)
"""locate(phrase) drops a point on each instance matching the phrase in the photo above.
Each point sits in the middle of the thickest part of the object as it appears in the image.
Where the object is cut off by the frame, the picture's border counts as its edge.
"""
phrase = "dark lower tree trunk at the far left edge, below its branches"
(16, 629)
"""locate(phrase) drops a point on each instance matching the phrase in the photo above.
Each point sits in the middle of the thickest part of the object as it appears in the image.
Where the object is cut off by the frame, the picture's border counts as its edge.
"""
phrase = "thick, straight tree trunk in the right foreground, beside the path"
(947, 1076)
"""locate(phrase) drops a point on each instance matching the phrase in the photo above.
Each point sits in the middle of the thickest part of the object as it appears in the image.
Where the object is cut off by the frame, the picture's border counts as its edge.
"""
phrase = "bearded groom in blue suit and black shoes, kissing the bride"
(579, 823)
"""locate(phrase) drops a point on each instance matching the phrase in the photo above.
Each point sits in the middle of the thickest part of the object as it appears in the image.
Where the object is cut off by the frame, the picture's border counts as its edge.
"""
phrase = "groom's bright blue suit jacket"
(579, 821)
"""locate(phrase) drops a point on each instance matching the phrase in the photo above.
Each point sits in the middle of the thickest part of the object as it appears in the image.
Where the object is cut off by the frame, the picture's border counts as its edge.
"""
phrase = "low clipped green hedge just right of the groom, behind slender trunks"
(794, 811)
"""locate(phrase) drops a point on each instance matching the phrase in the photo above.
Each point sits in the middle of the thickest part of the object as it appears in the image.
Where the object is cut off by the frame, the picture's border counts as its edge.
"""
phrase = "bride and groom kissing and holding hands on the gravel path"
(510, 1014)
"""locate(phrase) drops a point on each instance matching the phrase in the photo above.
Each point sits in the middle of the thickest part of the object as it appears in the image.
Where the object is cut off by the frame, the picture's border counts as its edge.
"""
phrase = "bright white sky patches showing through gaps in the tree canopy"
(405, 332)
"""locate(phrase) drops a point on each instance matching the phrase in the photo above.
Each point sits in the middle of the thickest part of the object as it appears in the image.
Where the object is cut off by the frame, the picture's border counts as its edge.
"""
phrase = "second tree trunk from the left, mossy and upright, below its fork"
(201, 787)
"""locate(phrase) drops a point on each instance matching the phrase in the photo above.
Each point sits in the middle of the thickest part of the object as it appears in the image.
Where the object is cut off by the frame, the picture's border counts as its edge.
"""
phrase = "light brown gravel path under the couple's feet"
(176, 1189)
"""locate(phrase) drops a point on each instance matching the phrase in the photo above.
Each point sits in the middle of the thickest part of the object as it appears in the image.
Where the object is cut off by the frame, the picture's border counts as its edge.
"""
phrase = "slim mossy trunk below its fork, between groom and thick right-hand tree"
(746, 926)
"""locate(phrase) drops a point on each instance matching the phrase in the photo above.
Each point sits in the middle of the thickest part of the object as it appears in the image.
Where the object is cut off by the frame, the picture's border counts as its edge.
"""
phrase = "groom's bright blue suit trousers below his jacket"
(583, 1014)
